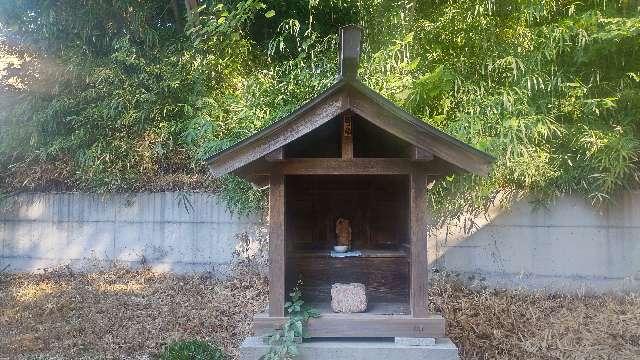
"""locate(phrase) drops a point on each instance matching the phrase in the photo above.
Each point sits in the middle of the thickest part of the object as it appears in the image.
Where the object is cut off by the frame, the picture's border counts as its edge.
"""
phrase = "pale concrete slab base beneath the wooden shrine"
(371, 349)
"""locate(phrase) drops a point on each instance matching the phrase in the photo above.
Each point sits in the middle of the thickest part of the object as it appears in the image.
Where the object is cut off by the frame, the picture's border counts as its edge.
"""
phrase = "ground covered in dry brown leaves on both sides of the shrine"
(125, 314)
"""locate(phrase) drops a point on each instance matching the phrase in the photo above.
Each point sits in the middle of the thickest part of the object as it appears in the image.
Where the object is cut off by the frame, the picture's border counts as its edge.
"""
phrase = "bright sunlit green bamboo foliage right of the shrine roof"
(545, 87)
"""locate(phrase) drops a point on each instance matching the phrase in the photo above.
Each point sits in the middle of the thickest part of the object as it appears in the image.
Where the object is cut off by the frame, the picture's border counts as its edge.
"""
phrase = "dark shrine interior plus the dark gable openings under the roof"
(377, 207)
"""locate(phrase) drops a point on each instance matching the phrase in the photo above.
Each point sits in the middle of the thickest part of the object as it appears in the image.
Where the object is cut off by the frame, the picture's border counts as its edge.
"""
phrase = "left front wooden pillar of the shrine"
(277, 254)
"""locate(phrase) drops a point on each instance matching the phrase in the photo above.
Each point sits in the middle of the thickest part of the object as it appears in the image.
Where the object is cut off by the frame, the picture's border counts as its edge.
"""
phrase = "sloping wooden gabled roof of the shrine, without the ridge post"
(350, 94)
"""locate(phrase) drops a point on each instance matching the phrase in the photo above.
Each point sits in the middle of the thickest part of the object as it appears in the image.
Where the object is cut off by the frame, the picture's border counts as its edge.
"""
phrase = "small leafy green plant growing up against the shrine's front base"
(283, 341)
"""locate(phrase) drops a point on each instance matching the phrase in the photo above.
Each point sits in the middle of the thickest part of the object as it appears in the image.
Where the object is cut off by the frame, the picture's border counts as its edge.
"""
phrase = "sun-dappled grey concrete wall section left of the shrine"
(178, 232)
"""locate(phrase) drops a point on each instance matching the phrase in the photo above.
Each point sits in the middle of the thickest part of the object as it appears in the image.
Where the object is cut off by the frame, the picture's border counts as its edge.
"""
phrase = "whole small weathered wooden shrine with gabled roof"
(350, 154)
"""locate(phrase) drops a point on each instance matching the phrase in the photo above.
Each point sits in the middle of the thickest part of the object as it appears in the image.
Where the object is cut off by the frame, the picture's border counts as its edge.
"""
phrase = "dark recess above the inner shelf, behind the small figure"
(376, 206)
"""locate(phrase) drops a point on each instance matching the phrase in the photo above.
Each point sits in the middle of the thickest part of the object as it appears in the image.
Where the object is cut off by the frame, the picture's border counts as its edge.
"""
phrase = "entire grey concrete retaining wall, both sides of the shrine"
(569, 246)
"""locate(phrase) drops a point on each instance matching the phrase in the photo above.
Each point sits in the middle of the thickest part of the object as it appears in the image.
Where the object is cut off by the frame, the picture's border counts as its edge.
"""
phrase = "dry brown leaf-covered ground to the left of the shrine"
(122, 313)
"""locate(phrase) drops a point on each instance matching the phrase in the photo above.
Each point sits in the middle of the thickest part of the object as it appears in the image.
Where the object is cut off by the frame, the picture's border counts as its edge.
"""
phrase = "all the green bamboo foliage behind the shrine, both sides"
(551, 88)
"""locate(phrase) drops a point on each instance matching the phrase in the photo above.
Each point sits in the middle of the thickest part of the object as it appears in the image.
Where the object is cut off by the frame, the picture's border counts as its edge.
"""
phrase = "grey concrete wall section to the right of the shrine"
(568, 246)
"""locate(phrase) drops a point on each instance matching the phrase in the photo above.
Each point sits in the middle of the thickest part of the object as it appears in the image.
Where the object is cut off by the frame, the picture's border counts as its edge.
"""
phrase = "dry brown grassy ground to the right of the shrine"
(499, 324)
